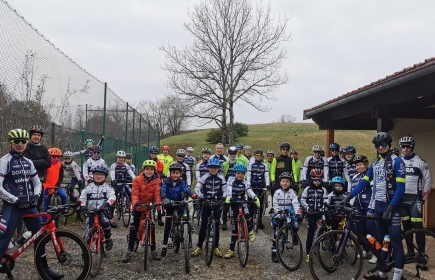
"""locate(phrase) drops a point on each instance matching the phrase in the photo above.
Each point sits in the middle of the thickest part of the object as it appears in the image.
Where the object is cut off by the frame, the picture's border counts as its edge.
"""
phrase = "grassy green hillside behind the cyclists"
(301, 136)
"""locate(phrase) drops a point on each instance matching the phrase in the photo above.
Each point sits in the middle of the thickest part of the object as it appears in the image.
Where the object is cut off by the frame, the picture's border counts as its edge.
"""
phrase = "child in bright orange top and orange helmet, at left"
(53, 181)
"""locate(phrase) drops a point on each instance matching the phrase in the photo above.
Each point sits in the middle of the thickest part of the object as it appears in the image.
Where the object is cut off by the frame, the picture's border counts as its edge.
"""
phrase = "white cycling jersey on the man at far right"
(418, 177)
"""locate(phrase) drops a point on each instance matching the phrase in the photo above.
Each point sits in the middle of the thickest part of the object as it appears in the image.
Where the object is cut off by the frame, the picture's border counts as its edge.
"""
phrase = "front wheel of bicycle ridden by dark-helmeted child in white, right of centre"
(289, 248)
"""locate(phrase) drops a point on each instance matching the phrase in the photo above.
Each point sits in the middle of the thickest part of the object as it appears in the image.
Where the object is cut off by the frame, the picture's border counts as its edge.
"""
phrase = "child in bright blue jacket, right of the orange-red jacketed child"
(173, 188)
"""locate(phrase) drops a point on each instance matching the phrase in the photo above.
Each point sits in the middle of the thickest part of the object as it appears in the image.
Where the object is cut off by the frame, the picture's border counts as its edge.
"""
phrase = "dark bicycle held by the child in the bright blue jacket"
(181, 233)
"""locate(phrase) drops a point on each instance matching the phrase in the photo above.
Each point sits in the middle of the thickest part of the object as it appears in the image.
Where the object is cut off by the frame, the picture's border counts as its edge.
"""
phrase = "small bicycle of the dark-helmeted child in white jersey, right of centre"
(285, 246)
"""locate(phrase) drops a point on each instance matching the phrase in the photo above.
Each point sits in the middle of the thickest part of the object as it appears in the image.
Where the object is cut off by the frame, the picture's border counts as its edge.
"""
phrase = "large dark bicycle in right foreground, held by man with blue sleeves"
(335, 262)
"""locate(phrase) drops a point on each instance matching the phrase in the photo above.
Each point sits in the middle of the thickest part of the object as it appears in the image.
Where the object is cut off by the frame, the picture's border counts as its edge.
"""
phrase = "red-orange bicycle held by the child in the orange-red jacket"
(144, 233)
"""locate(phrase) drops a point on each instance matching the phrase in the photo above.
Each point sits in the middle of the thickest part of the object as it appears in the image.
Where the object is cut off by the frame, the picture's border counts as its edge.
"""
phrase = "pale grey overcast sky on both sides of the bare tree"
(335, 47)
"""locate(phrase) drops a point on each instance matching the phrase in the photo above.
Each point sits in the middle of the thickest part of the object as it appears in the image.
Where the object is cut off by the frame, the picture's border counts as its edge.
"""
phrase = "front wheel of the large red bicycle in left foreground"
(74, 260)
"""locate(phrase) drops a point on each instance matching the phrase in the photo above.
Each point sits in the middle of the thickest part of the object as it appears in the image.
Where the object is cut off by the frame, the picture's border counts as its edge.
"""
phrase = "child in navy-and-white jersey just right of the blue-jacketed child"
(211, 187)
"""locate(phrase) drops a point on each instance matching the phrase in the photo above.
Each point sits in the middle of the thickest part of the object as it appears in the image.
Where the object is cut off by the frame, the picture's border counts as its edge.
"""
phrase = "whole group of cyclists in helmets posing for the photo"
(393, 188)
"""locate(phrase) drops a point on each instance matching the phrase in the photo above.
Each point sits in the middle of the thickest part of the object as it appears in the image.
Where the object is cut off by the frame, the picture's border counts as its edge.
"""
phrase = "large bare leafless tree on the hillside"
(236, 57)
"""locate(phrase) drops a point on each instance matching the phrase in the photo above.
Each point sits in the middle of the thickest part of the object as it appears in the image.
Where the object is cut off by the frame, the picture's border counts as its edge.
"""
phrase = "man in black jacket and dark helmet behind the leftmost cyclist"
(38, 154)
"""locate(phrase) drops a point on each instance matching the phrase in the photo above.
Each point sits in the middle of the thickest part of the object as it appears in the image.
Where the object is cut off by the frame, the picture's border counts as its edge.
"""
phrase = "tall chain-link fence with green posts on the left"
(39, 84)
